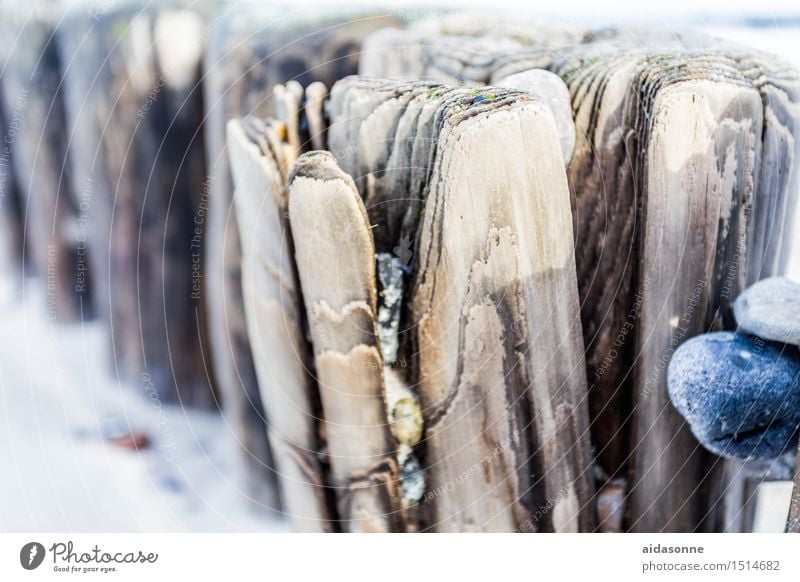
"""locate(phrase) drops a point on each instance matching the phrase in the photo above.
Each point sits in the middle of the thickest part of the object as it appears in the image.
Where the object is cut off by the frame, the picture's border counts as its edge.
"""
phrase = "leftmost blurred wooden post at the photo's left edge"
(32, 99)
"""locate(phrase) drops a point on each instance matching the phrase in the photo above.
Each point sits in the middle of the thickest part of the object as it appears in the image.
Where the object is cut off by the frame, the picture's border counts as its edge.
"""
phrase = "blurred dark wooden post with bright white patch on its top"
(140, 128)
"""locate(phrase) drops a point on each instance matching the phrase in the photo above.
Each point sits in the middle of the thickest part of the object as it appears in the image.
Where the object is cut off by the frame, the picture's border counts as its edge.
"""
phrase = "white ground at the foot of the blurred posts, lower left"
(59, 474)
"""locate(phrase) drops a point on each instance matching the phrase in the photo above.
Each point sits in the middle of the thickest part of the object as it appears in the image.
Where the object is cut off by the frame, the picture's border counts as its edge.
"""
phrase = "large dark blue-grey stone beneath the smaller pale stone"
(740, 394)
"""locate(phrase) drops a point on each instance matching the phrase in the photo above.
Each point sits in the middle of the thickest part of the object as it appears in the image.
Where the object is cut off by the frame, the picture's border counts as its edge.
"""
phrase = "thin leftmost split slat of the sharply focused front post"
(276, 319)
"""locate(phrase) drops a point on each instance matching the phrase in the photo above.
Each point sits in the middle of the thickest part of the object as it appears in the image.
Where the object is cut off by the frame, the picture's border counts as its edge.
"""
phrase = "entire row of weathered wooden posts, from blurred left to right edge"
(161, 173)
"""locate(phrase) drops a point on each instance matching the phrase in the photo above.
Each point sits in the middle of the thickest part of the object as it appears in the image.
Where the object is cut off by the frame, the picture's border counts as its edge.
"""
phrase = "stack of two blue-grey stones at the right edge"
(740, 391)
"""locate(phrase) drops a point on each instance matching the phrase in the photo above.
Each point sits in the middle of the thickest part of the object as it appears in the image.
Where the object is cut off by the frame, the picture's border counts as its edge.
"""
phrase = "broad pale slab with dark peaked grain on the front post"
(495, 309)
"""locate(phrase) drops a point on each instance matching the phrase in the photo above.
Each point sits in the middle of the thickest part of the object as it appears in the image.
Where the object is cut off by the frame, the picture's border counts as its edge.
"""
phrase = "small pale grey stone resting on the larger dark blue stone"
(770, 309)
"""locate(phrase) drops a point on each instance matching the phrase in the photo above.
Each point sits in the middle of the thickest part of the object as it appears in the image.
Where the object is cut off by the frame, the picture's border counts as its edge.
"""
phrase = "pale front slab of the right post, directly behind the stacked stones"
(699, 161)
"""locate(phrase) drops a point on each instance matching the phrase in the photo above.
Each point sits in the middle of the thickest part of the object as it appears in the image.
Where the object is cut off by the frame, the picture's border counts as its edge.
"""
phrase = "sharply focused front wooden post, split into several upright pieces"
(476, 319)
